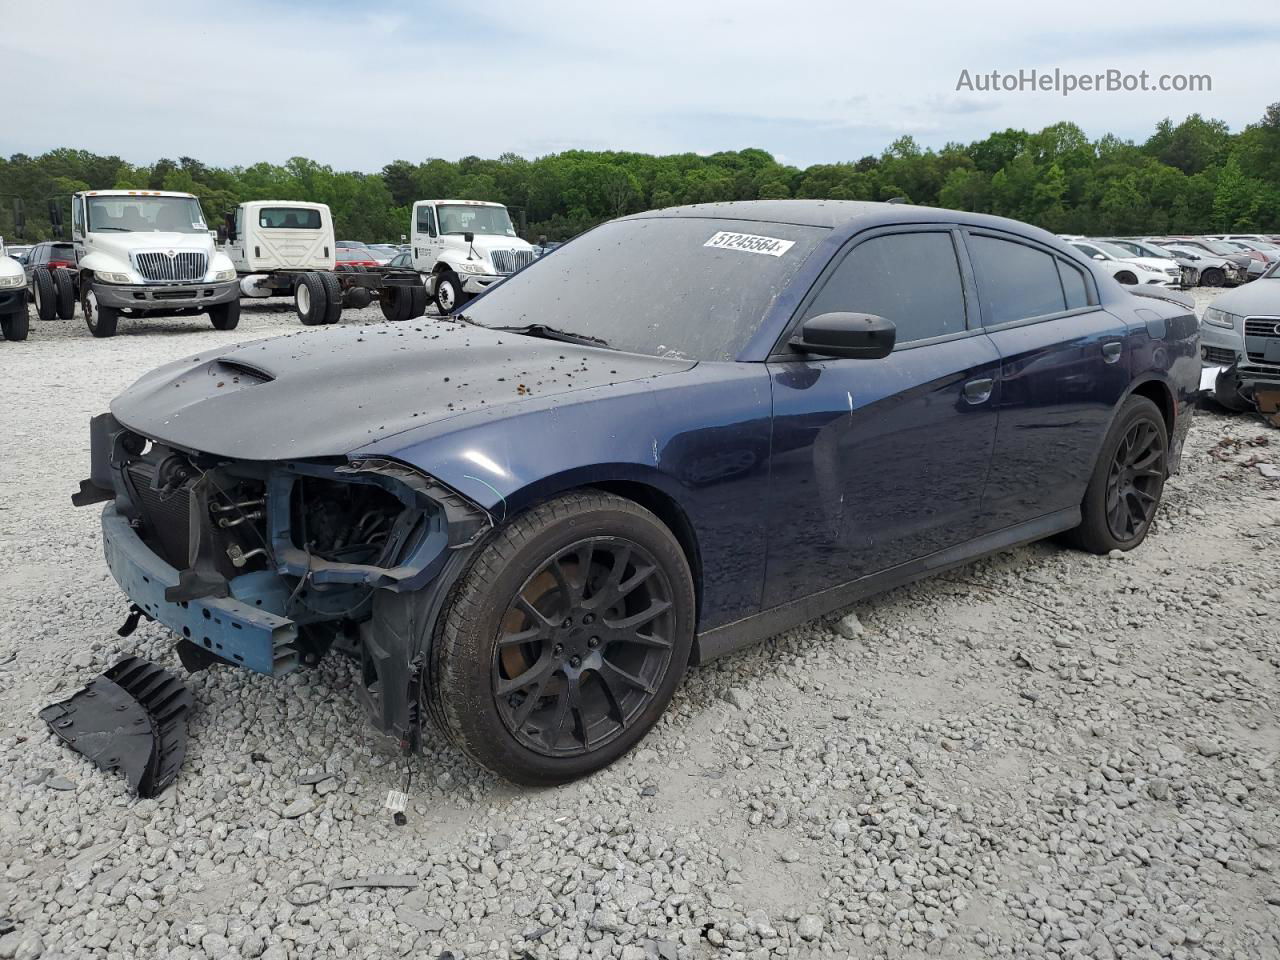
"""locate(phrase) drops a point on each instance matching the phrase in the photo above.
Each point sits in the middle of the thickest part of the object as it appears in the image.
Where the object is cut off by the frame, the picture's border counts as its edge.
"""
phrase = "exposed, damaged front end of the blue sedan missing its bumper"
(271, 565)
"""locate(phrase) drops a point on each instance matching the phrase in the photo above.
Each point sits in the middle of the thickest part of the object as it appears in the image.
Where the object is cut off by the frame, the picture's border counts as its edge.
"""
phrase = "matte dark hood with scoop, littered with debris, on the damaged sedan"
(330, 392)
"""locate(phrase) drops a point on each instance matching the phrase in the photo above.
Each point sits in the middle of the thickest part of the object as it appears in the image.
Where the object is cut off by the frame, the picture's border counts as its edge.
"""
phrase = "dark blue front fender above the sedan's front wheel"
(700, 438)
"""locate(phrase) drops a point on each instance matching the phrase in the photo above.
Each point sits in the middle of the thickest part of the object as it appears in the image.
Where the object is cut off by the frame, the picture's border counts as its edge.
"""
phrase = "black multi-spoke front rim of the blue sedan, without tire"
(583, 647)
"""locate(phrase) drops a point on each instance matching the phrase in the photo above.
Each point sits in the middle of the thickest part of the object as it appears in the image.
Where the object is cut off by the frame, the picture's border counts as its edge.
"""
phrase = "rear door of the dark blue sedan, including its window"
(1064, 365)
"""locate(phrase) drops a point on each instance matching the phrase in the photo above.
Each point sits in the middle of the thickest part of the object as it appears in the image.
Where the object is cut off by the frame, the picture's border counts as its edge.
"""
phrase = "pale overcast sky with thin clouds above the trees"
(356, 85)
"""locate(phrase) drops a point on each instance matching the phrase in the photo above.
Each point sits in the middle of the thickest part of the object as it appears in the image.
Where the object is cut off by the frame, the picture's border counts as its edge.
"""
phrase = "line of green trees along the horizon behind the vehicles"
(1192, 177)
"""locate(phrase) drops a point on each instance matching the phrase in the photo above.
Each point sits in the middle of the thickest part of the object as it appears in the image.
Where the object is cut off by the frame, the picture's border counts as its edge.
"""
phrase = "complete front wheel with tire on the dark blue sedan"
(565, 641)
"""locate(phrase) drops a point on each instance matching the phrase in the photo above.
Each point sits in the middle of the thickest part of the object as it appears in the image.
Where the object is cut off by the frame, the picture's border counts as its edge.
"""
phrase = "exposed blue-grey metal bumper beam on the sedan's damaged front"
(235, 629)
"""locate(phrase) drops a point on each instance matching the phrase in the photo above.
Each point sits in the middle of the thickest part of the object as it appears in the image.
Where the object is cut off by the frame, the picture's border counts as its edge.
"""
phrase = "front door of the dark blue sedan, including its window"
(877, 463)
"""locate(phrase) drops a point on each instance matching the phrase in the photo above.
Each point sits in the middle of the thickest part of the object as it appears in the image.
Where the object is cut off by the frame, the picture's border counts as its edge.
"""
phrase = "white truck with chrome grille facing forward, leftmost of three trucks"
(149, 254)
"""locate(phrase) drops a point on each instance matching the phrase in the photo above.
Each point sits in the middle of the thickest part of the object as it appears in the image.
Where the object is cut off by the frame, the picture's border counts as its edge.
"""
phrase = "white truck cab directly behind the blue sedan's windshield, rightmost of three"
(464, 248)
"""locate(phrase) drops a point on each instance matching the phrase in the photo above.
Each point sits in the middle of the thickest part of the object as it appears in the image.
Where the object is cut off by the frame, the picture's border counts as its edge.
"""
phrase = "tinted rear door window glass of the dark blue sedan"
(1016, 282)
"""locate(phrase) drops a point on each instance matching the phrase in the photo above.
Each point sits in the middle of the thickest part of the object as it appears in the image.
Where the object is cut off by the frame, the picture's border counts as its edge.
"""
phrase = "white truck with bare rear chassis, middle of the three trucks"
(286, 249)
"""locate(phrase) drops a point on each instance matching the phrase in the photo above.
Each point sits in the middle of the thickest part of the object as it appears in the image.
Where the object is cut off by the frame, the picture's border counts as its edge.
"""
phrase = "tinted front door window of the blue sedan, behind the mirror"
(909, 278)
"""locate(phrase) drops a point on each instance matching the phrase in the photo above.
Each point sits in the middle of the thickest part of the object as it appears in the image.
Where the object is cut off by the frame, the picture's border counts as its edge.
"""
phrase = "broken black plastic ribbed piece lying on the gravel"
(132, 720)
